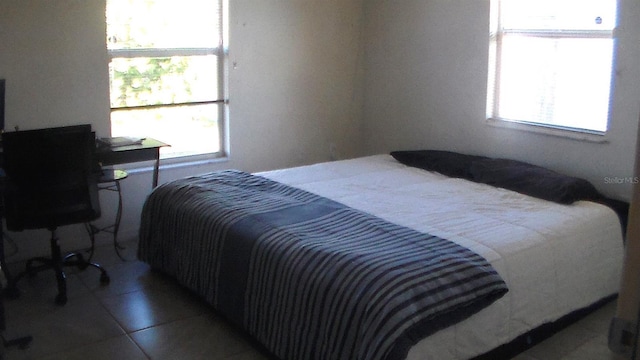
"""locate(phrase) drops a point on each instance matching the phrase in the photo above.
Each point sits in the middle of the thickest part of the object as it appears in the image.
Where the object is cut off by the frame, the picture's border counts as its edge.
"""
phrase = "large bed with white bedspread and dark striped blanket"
(540, 260)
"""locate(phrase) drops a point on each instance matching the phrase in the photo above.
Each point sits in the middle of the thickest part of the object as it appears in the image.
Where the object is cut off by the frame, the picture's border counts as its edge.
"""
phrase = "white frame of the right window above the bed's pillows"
(496, 36)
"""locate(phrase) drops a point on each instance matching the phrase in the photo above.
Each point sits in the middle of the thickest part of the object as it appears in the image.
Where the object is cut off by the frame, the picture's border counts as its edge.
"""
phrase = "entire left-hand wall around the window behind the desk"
(295, 87)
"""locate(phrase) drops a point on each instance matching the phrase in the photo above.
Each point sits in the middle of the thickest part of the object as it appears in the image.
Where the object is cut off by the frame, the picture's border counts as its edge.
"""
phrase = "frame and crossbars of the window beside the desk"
(221, 52)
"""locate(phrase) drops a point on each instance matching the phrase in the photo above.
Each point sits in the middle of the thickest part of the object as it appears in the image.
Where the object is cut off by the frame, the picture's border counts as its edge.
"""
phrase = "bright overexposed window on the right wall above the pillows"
(551, 63)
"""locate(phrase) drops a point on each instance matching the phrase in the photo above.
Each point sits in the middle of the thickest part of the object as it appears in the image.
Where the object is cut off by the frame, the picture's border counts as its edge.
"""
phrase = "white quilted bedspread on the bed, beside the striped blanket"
(554, 258)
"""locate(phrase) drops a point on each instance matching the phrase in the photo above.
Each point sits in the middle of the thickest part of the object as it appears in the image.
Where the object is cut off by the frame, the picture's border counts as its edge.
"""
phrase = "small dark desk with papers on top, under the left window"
(149, 149)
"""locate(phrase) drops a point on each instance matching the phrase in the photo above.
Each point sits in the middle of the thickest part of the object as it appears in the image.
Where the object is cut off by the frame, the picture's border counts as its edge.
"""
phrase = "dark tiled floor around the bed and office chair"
(142, 315)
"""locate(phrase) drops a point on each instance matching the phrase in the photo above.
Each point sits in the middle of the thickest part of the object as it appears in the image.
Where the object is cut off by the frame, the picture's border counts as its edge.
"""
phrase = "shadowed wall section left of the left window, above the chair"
(52, 55)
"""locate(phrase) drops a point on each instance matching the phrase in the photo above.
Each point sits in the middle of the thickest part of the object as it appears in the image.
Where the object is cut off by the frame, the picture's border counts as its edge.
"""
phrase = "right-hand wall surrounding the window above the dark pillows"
(425, 87)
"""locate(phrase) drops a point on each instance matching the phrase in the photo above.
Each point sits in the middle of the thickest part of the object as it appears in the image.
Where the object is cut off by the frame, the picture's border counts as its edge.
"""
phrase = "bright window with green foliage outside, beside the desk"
(167, 73)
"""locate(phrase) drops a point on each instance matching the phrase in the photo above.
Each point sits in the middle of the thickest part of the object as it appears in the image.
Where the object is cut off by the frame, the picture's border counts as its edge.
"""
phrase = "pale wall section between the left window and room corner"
(295, 79)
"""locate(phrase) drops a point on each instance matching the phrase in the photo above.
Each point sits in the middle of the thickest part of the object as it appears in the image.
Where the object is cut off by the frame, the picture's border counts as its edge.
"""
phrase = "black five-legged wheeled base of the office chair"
(57, 263)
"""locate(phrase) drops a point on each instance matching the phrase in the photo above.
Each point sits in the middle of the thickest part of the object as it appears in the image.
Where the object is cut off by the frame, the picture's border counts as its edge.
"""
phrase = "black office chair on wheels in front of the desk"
(51, 182)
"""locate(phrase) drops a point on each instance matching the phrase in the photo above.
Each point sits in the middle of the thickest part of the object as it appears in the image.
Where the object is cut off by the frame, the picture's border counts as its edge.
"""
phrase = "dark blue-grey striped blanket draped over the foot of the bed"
(306, 276)
